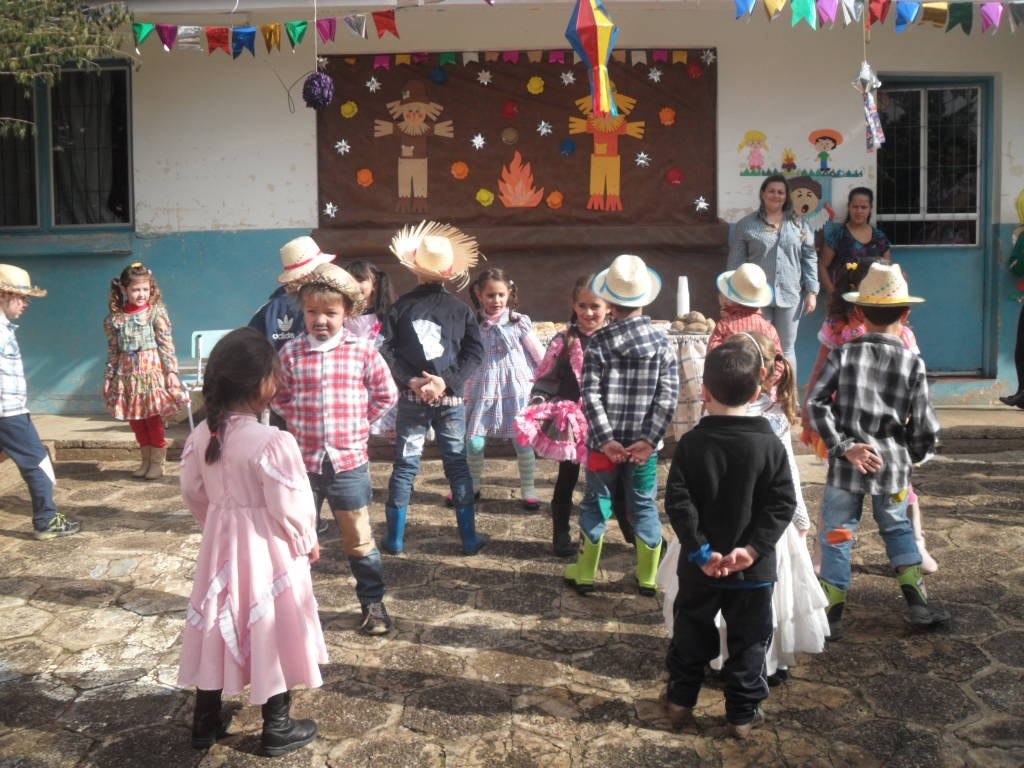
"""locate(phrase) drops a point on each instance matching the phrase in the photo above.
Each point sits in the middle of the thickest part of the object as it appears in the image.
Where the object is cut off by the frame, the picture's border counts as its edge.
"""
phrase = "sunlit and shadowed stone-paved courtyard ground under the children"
(494, 662)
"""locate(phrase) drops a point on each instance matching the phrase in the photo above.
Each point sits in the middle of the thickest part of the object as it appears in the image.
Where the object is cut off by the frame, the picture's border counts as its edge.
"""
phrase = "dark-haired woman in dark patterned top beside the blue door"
(856, 243)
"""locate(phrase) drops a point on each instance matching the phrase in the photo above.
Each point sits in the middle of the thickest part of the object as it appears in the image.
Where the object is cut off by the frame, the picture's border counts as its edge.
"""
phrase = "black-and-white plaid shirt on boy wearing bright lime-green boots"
(630, 383)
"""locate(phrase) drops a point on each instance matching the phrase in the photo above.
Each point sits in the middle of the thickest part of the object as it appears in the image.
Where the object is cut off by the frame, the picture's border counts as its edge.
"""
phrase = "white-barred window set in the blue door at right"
(929, 169)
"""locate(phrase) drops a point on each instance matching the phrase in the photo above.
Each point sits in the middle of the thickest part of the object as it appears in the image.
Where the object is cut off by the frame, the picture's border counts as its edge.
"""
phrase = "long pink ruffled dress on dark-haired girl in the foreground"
(252, 618)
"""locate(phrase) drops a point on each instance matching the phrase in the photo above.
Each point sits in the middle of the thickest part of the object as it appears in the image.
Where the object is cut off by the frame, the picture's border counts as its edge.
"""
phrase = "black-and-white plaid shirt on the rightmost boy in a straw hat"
(874, 391)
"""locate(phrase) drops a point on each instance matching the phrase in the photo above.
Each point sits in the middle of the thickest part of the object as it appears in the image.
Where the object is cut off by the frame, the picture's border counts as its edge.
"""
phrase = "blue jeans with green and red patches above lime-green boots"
(641, 488)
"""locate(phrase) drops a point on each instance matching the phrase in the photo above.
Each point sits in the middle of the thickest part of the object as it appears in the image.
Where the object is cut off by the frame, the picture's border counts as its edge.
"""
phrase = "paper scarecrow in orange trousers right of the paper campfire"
(606, 164)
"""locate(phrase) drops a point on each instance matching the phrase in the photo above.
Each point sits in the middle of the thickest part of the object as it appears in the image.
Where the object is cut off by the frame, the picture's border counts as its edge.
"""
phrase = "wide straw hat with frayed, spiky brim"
(436, 251)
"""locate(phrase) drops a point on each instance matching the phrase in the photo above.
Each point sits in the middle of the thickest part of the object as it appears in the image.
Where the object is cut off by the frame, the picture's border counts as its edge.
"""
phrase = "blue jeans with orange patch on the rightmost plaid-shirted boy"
(843, 509)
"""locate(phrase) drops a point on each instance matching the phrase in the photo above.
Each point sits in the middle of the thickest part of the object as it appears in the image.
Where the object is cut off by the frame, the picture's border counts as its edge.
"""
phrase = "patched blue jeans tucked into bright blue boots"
(413, 421)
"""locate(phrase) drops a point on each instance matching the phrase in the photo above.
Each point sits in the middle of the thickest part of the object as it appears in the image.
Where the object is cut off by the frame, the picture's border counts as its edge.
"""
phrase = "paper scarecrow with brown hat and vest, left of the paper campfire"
(415, 119)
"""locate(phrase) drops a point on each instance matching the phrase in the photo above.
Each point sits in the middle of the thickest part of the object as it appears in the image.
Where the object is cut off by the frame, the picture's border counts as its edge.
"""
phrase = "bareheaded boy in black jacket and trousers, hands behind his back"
(730, 497)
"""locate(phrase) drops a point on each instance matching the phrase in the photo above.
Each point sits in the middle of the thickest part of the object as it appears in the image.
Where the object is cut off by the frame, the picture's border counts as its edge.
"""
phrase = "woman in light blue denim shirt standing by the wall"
(782, 244)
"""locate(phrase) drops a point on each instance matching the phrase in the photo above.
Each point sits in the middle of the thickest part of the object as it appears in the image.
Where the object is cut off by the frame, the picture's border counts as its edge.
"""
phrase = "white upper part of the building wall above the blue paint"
(217, 147)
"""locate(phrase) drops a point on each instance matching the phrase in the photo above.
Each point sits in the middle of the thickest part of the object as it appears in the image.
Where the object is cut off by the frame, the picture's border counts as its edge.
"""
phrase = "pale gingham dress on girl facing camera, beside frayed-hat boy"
(500, 388)
